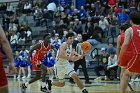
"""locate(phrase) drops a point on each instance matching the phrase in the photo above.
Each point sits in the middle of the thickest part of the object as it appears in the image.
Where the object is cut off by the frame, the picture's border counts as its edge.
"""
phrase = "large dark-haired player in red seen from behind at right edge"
(132, 37)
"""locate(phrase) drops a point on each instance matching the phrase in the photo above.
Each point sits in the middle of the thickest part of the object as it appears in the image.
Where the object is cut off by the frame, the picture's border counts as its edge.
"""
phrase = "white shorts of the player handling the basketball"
(63, 70)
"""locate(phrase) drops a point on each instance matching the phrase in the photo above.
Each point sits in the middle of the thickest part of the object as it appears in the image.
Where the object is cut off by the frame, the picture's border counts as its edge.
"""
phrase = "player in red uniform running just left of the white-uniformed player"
(42, 48)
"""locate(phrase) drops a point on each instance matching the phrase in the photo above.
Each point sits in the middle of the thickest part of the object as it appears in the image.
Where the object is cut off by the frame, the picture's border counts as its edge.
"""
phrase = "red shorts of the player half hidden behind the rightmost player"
(126, 57)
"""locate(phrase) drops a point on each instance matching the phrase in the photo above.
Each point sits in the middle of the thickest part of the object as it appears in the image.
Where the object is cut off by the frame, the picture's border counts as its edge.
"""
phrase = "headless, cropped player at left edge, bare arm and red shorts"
(6, 47)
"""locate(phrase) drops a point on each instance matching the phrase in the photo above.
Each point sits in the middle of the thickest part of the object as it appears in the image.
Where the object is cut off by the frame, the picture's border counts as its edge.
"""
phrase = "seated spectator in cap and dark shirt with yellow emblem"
(102, 65)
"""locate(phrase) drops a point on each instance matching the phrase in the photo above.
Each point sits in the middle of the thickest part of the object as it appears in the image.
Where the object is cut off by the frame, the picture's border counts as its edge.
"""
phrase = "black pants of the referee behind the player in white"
(81, 62)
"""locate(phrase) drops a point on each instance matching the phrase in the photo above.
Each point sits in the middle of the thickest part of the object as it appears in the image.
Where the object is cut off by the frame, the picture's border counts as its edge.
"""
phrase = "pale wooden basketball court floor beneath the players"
(95, 87)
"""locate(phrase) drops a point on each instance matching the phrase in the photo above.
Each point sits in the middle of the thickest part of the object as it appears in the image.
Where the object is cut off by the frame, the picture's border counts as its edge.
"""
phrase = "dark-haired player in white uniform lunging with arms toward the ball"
(63, 67)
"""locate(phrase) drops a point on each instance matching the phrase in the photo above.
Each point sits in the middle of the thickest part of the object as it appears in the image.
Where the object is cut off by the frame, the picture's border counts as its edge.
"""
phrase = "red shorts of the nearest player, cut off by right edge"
(134, 64)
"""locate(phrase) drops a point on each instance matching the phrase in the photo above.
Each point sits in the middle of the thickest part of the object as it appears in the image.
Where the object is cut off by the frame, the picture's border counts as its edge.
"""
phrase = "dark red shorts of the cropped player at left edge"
(3, 78)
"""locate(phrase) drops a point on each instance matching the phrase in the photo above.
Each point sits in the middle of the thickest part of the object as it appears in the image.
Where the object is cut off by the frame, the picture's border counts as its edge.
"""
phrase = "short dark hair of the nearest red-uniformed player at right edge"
(135, 17)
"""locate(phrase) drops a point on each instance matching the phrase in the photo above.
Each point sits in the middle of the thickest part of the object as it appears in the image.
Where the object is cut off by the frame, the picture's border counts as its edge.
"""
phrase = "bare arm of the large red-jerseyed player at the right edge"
(128, 36)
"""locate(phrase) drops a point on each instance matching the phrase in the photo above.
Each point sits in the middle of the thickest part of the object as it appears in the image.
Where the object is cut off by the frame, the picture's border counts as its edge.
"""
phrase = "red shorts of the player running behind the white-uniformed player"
(35, 62)
